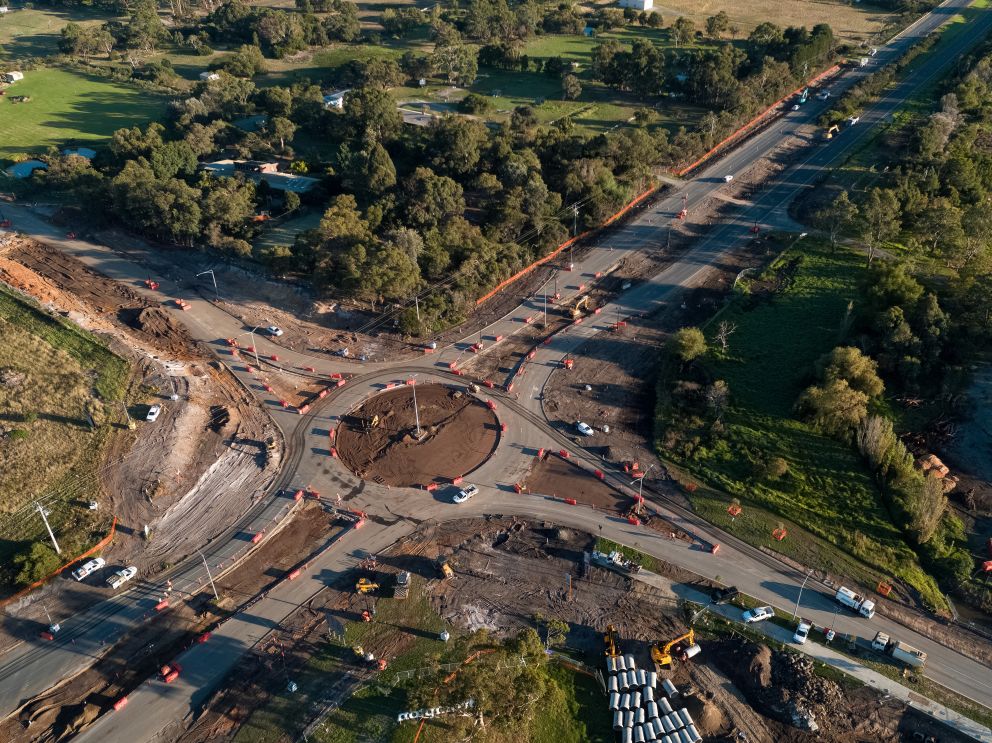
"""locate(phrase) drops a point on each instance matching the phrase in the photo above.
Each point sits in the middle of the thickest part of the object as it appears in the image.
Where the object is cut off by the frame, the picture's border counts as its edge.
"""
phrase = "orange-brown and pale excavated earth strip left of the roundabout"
(188, 474)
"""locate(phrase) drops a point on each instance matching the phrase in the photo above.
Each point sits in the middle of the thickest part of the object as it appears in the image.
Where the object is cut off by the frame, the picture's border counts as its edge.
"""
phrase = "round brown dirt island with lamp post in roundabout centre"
(458, 434)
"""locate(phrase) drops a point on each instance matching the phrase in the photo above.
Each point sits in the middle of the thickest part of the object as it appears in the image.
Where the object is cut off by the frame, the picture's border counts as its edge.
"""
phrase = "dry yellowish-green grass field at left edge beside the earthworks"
(60, 396)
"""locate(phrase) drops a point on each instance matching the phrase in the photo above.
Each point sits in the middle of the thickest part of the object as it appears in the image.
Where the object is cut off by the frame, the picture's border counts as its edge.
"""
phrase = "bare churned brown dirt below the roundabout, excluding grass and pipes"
(507, 572)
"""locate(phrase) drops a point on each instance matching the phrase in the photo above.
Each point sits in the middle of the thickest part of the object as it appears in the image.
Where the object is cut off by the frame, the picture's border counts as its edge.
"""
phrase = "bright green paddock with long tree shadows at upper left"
(70, 107)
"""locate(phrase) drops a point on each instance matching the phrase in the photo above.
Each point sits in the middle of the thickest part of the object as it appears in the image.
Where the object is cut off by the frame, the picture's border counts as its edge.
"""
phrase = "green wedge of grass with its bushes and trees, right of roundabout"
(763, 409)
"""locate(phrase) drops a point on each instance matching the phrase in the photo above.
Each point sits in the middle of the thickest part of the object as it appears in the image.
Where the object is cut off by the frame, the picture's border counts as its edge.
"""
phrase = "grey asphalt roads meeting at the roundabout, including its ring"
(34, 667)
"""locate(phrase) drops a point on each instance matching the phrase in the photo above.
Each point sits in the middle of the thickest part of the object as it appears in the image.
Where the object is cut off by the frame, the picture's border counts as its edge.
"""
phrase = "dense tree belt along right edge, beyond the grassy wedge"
(917, 196)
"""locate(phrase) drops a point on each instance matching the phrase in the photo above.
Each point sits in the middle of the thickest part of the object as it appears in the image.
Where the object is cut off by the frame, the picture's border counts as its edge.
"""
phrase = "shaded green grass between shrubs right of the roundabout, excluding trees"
(827, 491)
